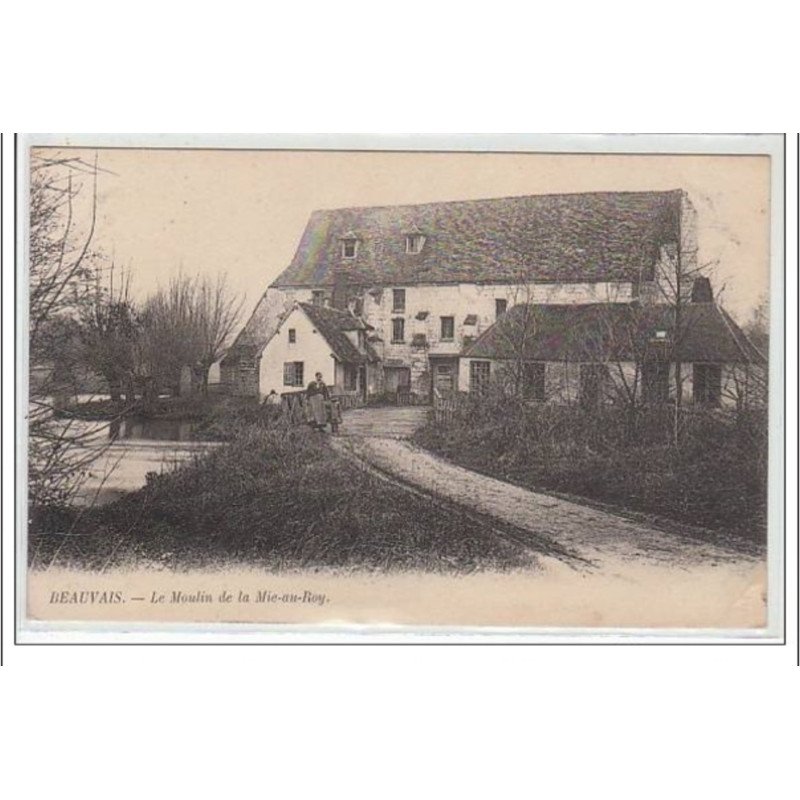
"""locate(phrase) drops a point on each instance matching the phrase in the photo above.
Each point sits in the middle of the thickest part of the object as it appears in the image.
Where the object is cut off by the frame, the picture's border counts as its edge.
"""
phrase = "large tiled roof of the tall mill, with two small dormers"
(559, 237)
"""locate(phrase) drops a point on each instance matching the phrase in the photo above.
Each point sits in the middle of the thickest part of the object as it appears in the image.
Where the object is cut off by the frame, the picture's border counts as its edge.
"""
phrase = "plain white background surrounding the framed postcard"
(196, 722)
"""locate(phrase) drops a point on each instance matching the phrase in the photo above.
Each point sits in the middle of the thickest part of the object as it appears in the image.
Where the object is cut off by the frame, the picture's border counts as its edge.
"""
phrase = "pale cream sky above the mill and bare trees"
(242, 212)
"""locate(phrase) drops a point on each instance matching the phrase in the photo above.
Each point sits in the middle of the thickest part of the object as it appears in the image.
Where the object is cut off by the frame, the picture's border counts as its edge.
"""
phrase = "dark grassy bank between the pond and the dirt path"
(275, 497)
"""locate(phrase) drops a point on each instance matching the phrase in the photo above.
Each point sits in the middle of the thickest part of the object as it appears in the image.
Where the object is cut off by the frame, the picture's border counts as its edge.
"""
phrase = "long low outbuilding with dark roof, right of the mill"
(604, 351)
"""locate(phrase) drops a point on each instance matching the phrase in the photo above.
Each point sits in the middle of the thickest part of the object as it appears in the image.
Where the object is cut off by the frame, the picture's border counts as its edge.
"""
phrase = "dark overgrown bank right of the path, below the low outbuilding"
(716, 479)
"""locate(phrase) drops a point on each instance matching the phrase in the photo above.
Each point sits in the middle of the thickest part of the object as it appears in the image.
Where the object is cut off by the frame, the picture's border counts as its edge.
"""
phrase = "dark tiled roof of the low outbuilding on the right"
(615, 331)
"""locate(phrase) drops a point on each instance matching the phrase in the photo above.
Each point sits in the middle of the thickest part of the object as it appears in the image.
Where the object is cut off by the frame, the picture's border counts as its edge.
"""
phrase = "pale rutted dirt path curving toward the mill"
(377, 436)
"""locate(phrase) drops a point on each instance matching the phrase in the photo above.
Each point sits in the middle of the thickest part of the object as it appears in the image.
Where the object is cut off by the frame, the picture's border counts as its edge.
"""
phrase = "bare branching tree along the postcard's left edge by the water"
(62, 268)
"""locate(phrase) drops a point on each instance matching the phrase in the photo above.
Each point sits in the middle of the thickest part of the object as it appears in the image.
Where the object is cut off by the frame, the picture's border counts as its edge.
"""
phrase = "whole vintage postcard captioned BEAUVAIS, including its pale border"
(512, 385)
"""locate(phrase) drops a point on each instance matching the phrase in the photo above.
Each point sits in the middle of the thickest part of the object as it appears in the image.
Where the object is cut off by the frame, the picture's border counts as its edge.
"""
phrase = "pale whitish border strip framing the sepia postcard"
(27, 632)
